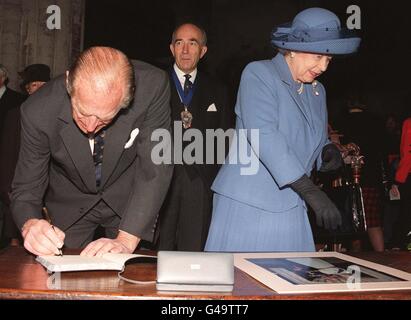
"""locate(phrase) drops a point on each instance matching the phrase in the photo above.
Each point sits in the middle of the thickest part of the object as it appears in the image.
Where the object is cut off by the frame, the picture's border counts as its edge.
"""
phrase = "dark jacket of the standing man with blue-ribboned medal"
(208, 91)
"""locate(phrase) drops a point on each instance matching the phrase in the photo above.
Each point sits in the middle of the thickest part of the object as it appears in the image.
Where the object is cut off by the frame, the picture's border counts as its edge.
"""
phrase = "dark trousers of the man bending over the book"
(83, 230)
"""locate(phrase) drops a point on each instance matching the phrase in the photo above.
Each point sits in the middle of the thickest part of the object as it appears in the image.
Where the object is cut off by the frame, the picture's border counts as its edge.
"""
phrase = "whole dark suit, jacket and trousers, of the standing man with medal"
(181, 226)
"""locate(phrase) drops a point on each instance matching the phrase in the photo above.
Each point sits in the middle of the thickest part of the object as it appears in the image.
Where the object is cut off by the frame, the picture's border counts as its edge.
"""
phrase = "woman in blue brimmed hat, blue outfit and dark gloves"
(281, 98)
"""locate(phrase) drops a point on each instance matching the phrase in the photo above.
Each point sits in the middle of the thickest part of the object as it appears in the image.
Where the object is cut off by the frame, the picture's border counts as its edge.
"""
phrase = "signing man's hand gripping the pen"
(42, 238)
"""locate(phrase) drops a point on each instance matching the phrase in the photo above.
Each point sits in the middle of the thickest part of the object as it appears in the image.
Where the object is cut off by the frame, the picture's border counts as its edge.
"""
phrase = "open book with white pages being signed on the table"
(109, 261)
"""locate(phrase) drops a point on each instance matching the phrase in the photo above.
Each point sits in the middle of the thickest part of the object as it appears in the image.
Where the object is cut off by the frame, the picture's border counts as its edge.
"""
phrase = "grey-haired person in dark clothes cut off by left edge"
(10, 102)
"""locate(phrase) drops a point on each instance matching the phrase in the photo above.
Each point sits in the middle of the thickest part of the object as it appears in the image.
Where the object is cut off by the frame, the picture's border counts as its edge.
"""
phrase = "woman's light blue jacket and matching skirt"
(292, 132)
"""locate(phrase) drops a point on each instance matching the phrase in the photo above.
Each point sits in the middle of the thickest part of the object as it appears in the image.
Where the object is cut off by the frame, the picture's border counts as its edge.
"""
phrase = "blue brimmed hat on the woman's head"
(316, 30)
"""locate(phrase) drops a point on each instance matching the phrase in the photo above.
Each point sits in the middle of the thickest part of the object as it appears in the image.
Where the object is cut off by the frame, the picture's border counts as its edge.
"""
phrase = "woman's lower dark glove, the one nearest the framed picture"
(325, 210)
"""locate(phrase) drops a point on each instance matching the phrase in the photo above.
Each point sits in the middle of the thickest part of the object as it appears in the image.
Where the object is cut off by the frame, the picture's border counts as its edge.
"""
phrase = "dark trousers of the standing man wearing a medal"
(186, 214)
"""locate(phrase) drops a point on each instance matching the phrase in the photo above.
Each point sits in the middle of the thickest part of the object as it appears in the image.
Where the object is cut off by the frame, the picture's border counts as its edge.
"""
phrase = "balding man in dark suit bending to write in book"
(85, 155)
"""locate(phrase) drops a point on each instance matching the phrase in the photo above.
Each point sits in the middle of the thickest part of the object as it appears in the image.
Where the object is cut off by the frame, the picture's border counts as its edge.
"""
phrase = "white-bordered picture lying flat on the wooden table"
(315, 272)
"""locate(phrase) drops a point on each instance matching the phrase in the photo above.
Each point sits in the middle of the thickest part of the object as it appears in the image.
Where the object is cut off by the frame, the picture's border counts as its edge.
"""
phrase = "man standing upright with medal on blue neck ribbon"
(201, 102)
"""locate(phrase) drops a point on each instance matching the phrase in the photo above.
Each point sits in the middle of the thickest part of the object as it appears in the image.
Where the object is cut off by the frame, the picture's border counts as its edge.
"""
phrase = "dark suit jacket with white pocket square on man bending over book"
(56, 168)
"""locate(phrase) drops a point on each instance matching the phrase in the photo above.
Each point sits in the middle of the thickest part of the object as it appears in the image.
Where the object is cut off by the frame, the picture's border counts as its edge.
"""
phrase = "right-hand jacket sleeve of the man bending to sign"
(151, 180)
